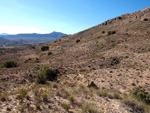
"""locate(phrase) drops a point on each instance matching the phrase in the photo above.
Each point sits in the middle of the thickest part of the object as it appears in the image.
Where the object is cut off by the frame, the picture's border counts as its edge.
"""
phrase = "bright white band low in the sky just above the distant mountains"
(21, 29)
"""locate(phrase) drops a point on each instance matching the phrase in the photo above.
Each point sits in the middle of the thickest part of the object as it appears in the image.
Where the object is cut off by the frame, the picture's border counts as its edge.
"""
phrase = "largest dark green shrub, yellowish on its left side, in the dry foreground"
(46, 74)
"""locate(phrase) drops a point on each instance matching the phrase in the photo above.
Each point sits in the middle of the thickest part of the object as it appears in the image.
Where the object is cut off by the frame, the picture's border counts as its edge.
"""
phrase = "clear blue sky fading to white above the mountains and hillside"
(68, 16)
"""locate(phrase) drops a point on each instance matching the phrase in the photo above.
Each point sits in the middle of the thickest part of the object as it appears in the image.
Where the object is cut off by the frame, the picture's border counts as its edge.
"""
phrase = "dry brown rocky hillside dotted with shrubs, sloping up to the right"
(104, 69)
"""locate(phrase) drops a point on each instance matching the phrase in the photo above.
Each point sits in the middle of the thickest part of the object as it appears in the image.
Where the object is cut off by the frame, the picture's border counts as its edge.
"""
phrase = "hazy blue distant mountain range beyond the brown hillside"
(28, 39)
